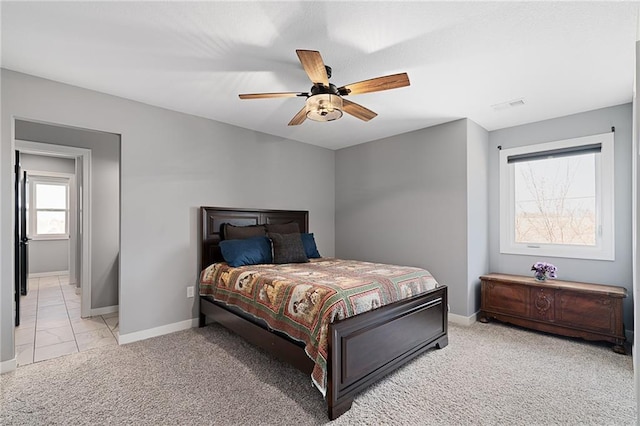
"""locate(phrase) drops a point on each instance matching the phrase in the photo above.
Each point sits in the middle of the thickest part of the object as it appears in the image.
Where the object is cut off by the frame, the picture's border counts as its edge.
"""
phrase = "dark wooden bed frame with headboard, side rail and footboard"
(362, 349)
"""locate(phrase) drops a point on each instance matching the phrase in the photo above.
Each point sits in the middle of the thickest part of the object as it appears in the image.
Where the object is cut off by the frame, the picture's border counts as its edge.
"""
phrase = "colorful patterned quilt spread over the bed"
(301, 299)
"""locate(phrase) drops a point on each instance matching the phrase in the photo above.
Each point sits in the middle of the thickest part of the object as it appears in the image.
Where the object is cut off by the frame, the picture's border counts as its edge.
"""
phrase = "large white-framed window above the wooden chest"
(556, 199)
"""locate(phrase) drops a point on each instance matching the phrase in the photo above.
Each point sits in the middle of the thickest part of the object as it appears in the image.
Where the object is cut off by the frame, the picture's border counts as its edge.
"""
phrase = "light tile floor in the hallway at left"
(50, 323)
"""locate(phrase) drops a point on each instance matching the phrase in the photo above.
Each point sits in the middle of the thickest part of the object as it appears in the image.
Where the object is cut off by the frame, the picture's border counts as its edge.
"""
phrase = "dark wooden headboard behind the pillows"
(212, 219)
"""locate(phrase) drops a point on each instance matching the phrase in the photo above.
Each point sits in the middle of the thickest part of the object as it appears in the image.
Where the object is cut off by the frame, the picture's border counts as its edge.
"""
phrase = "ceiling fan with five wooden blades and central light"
(325, 101)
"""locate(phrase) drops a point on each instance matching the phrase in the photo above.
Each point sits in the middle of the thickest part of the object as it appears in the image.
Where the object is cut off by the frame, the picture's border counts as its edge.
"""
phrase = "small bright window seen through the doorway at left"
(48, 208)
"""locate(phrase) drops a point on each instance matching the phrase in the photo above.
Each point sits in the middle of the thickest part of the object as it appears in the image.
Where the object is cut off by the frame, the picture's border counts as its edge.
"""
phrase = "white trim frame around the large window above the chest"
(605, 215)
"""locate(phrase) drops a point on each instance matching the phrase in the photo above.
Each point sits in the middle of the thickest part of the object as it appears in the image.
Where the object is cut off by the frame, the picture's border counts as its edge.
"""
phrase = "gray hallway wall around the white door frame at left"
(105, 199)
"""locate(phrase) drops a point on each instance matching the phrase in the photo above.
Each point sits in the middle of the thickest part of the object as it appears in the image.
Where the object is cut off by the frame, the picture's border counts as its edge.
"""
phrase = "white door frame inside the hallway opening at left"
(84, 204)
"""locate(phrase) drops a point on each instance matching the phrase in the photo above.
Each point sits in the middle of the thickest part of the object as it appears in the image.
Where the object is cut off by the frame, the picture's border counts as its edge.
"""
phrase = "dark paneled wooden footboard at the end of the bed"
(370, 345)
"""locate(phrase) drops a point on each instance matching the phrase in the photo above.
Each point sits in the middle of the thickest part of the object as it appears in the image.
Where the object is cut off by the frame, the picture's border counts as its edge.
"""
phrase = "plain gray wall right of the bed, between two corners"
(403, 200)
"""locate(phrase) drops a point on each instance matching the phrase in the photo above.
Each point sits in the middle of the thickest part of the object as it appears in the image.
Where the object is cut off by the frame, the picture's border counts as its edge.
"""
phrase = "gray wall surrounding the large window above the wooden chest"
(618, 272)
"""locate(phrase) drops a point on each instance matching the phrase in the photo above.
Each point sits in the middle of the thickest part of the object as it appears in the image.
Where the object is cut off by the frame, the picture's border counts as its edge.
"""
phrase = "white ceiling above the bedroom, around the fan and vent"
(462, 58)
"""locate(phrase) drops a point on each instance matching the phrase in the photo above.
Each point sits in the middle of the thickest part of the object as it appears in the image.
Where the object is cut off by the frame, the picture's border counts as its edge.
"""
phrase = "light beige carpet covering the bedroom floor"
(489, 374)
